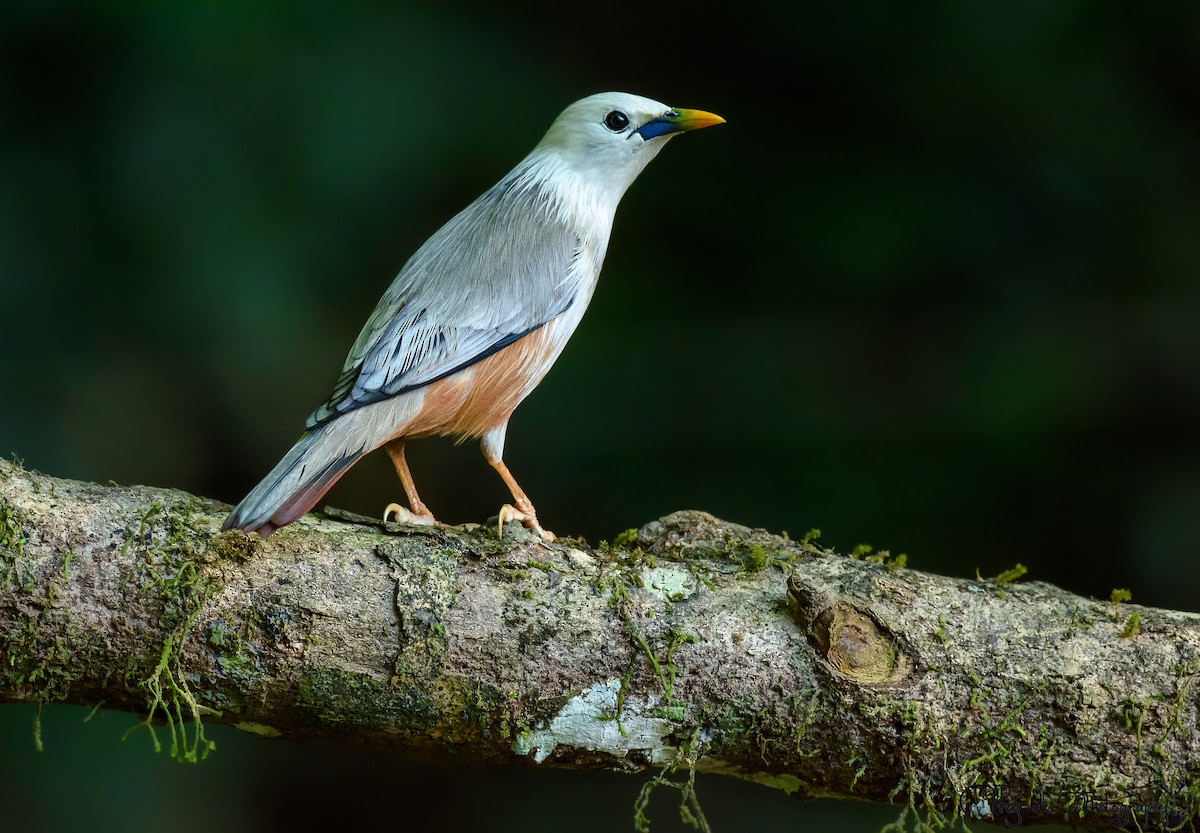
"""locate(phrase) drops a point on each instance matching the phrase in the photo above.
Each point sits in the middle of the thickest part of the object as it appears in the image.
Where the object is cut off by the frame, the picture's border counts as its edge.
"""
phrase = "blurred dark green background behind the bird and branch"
(934, 287)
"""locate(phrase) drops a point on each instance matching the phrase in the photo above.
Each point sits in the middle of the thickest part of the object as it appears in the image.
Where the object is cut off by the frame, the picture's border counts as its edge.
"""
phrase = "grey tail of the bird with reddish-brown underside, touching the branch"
(299, 481)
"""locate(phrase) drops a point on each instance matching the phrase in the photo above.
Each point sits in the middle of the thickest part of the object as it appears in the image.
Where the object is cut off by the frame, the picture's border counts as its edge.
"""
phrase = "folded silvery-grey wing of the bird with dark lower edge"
(497, 272)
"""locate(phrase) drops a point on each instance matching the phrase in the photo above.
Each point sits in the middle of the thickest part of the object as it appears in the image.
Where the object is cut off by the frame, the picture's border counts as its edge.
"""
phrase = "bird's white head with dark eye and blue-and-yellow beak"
(611, 136)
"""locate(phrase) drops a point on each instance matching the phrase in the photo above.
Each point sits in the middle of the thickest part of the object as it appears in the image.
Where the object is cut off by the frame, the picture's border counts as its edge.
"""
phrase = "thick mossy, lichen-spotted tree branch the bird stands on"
(689, 645)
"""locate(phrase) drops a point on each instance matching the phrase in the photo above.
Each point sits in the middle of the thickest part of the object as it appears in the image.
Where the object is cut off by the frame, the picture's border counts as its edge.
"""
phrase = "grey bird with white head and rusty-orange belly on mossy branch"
(476, 319)
